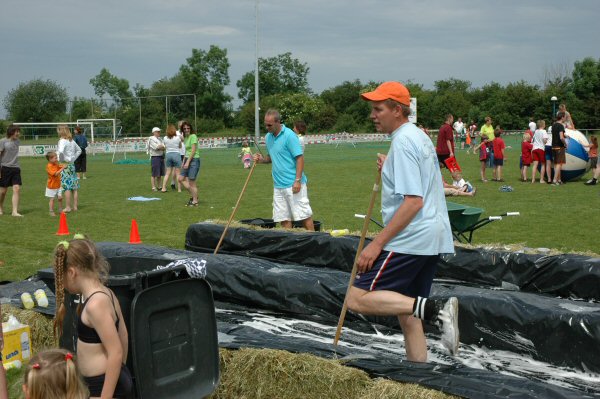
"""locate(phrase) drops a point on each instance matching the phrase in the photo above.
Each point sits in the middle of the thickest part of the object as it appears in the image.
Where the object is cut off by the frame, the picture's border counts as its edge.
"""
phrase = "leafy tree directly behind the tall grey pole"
(277, 75)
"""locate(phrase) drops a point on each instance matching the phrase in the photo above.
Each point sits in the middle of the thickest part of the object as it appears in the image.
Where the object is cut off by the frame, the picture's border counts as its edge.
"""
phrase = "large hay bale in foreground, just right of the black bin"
(268, 373)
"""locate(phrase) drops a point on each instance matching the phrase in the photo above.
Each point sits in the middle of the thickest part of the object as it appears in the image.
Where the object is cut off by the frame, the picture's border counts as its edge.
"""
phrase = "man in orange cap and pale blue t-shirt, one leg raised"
(395, 271)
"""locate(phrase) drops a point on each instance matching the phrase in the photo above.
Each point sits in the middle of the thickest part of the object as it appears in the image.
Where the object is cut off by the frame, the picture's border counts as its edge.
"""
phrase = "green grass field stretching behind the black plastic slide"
(340, 184)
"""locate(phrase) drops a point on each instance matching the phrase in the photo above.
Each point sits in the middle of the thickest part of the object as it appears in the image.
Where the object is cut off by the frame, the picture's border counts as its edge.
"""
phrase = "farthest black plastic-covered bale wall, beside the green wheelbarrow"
(567, 276)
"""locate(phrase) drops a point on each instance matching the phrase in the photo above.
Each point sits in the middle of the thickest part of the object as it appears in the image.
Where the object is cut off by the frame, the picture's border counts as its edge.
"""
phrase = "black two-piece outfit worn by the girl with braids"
(87, 334)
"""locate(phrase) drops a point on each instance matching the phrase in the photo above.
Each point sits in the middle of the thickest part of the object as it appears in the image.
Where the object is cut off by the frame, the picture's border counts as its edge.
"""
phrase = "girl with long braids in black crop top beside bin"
(101, 332)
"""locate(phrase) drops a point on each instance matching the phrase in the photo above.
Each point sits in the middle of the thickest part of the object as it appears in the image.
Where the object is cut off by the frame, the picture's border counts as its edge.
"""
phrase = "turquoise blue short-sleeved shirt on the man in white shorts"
(283, 150)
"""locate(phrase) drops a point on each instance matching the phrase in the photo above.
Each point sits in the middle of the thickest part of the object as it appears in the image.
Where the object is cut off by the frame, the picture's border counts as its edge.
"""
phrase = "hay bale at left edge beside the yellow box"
(42, 334)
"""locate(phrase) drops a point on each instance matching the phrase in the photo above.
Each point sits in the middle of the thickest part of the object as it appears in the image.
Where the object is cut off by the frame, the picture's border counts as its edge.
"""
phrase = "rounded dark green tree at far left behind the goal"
(36, 101)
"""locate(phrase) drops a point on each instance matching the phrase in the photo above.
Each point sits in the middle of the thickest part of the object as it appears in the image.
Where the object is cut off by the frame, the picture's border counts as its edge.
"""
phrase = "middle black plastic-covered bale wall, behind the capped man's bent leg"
(561, 332)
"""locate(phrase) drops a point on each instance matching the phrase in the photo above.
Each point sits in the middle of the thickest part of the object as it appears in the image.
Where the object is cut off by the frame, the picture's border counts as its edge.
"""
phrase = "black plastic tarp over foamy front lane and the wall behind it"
(252, 293)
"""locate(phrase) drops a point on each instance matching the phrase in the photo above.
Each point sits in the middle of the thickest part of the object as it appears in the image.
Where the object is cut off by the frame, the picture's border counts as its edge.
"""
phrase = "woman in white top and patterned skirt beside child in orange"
(68, 151)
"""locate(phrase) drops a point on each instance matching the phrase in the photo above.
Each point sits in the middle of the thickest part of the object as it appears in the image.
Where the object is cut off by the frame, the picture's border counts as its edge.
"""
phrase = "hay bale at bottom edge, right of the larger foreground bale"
(383, 388)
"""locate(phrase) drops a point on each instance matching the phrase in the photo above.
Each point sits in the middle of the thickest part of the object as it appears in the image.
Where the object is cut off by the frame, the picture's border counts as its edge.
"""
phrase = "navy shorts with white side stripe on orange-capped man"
(410, 275)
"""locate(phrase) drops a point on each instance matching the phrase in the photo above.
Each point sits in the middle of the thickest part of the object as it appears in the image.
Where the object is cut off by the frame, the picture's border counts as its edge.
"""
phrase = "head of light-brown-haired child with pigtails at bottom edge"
(53, 374)
